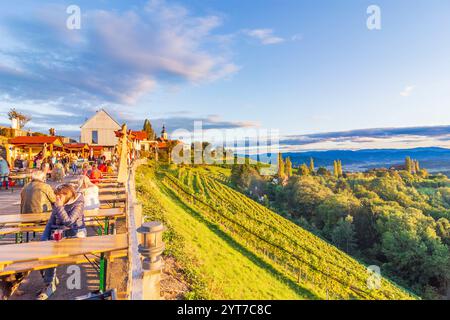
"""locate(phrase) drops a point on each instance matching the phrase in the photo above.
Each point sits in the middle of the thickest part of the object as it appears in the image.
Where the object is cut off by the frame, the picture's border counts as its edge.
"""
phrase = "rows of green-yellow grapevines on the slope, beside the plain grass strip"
(298, 255)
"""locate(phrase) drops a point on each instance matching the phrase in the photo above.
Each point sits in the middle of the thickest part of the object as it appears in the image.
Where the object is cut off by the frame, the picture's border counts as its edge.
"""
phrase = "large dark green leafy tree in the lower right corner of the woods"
(412, 249)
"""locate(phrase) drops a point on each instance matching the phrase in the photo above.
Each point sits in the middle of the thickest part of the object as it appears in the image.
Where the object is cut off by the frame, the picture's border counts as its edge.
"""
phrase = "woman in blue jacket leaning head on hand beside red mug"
(67, 216)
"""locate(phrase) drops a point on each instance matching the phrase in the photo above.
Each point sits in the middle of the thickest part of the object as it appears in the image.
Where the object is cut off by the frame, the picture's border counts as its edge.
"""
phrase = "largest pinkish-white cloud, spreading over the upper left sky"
(117, 56)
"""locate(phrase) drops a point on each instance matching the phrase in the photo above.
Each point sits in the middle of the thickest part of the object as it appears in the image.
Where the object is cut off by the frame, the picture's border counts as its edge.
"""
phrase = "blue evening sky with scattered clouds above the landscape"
(302, 67)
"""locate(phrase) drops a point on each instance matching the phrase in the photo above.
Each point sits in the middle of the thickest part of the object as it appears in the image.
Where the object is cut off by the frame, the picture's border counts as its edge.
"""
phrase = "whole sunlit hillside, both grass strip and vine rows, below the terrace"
(231, 247)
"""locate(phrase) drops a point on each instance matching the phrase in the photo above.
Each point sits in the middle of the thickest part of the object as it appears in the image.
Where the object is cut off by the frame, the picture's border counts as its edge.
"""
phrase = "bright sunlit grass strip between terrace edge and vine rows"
(212, 258)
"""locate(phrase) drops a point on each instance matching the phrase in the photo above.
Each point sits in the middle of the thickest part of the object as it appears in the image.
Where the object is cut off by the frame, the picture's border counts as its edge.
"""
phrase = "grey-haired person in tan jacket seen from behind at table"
(37, 196)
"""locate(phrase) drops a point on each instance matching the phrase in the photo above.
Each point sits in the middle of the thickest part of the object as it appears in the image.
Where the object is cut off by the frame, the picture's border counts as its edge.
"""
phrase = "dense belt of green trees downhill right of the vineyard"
(397, 219)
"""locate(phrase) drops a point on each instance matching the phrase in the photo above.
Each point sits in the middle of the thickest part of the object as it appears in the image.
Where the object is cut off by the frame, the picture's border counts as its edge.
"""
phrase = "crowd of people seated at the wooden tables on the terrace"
(67, 202)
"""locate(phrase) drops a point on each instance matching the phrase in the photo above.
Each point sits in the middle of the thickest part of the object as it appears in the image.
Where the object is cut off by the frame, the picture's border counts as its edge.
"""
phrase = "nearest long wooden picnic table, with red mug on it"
(16, 258)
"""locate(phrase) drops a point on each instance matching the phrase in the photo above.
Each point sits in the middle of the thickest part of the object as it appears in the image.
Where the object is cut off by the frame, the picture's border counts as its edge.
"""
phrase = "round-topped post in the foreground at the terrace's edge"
(151, 247)
